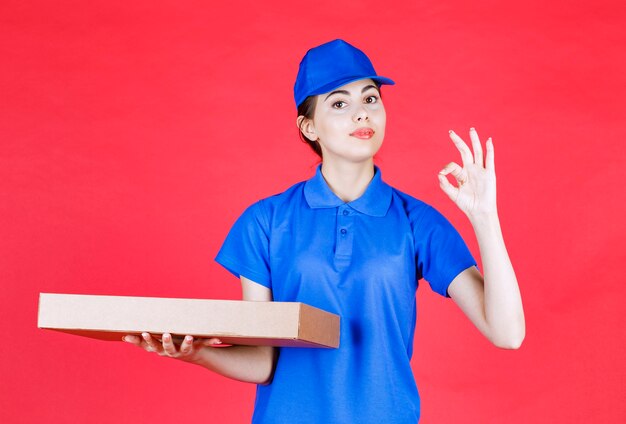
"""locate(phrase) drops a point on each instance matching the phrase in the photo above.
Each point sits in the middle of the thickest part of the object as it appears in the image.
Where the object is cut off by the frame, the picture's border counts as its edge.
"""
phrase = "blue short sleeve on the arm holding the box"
(245, 251)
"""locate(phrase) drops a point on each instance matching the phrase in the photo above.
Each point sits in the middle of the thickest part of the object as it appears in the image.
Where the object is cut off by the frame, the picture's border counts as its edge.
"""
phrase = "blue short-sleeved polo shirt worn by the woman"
(361, 260)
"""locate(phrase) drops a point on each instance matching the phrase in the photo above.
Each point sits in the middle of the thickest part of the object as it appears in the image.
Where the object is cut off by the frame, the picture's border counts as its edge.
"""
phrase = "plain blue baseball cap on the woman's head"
(330, 66)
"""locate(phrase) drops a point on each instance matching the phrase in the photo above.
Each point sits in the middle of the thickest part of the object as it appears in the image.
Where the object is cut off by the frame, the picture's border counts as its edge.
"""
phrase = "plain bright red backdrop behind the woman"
(134, 133)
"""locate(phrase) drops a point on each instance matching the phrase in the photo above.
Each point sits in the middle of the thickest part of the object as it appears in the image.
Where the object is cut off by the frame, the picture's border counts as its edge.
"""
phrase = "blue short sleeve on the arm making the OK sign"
(441, 253)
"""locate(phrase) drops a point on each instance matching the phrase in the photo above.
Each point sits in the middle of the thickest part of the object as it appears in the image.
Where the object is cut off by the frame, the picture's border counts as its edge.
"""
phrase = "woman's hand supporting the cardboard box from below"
(188, 350)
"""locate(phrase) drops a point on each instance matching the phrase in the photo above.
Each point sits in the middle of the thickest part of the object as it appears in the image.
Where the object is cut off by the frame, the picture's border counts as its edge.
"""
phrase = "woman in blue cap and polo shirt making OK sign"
(347, 242)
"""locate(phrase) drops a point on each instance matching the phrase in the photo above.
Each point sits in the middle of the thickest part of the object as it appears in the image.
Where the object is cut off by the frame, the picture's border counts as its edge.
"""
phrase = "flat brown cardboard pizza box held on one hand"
(290, 324)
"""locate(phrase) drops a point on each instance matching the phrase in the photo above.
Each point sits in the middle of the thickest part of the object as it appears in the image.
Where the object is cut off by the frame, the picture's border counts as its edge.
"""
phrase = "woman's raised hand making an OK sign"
(475, 192)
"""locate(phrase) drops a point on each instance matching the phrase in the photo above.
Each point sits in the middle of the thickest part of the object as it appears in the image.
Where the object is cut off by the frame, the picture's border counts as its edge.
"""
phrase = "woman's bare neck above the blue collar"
(348, 180)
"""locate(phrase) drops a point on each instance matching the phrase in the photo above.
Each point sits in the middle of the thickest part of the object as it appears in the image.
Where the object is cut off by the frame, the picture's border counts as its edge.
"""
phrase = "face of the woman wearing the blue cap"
(349, 122)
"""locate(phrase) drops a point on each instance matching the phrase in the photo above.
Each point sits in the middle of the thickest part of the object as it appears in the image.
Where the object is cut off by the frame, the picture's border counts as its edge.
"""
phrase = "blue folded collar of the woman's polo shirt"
(375, 201)
